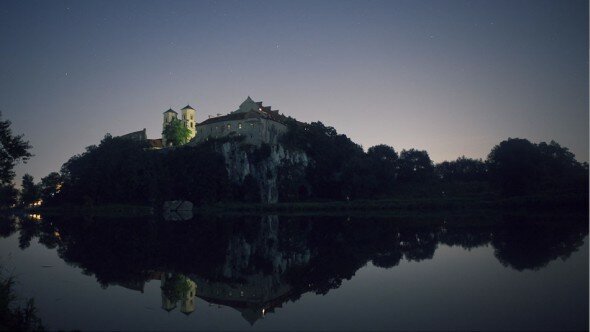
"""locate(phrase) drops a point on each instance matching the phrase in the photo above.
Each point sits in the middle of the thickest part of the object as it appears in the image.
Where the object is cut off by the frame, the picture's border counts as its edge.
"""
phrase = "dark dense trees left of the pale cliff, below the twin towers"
(123, 171)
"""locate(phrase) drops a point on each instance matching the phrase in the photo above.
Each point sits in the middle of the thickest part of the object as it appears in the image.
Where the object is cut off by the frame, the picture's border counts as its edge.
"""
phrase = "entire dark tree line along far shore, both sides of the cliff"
(124, 171)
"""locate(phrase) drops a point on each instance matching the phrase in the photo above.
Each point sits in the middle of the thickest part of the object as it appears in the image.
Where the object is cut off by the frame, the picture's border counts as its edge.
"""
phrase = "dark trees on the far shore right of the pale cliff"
(342, 170)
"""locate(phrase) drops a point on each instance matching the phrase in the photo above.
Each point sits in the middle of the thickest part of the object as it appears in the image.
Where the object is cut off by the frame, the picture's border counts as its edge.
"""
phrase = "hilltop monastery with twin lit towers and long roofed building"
(254, 122)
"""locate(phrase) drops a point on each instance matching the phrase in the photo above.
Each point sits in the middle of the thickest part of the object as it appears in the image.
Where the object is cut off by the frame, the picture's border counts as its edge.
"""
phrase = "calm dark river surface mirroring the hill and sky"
(270, 272)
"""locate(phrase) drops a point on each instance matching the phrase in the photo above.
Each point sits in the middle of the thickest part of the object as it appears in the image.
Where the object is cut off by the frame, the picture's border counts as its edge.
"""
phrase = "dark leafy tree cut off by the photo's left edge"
(13, 149)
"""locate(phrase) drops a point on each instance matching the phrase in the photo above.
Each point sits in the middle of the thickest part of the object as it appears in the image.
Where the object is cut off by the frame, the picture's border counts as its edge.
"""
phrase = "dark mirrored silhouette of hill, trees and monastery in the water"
(255, 264)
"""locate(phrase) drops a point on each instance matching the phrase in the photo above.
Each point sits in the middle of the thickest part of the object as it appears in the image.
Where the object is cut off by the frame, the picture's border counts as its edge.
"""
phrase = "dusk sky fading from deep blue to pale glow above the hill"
(451, 77)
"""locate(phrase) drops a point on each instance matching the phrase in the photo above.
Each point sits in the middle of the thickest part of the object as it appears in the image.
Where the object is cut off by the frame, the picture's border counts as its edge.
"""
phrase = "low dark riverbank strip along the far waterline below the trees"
(392, 206)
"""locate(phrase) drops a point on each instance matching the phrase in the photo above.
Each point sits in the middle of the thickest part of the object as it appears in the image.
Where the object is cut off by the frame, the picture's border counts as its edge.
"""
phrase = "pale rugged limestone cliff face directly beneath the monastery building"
(262, 163)
